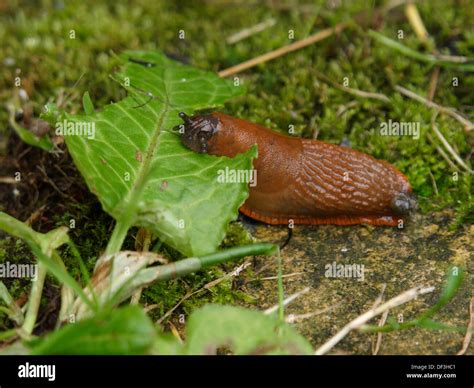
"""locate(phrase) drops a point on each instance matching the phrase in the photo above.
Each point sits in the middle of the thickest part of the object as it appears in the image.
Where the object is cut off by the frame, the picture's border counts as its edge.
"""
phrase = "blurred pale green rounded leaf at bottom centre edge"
(242, 331)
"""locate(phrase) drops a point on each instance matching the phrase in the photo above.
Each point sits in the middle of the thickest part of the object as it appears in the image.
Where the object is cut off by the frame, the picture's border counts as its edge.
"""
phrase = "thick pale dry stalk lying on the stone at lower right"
(367, 316)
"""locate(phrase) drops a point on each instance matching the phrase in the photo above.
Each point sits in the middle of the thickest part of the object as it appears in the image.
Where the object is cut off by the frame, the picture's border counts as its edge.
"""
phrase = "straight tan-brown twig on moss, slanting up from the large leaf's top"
(320, 35)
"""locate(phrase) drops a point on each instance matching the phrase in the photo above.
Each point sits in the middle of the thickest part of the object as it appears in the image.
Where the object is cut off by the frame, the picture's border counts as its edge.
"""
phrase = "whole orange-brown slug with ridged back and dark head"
(307, 181)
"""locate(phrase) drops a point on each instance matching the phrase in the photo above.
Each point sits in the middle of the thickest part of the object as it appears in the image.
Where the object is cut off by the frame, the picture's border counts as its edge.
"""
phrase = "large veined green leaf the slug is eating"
(138, 167)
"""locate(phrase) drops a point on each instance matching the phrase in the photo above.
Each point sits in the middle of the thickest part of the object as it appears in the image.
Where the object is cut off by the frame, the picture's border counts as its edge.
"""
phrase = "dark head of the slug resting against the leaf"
(197, 131)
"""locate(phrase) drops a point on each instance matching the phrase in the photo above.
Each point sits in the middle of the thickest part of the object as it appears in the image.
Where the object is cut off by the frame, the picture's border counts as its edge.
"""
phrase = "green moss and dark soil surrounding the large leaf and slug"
(36, 45)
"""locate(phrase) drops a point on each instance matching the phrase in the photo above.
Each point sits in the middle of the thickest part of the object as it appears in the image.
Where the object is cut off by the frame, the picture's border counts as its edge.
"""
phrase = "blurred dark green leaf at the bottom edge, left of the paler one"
(124, 331)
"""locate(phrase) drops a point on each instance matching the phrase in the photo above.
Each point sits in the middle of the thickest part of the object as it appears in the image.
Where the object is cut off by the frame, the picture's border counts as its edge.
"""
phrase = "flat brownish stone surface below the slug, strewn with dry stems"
(419, 254)
